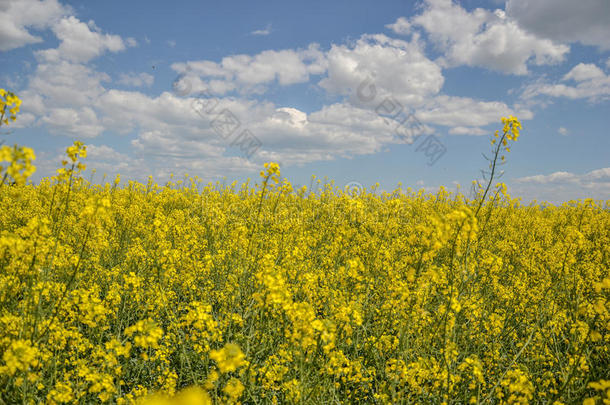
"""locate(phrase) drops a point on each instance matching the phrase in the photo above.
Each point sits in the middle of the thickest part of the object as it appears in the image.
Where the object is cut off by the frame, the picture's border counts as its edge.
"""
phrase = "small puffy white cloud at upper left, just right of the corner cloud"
(80, 42)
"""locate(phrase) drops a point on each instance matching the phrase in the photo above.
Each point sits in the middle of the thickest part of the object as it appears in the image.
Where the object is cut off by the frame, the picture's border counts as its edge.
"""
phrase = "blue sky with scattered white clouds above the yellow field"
(357, 92)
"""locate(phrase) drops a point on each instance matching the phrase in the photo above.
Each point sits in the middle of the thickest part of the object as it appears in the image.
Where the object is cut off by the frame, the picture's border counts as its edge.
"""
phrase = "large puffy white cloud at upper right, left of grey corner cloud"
(484, 38)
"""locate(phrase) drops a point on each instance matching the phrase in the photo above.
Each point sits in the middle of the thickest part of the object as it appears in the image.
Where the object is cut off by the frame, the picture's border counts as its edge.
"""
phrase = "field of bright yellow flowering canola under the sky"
(258, 293)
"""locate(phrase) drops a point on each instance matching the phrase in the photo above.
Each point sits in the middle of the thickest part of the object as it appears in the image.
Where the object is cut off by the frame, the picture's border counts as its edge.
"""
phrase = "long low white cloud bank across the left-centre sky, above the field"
(167, 126)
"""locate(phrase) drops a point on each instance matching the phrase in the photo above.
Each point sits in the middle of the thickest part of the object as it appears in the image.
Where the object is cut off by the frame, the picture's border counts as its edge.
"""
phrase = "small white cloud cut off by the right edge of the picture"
(584, 81)
